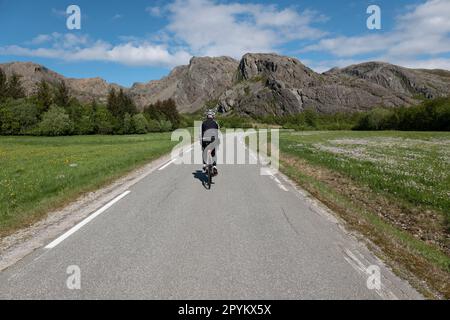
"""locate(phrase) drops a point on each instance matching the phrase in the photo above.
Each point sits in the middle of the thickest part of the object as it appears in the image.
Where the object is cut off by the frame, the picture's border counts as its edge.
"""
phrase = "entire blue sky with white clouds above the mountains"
(137, 41)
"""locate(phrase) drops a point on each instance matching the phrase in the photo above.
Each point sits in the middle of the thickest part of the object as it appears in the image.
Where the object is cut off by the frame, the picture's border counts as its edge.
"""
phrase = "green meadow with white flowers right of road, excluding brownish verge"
(411, 166)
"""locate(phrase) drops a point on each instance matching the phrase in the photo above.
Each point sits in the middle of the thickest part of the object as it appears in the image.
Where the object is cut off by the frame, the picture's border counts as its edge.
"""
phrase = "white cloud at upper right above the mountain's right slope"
(423, 30)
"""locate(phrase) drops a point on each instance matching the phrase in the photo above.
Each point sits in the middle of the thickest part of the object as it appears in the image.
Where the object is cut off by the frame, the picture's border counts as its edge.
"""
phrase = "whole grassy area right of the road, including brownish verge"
(392, 187)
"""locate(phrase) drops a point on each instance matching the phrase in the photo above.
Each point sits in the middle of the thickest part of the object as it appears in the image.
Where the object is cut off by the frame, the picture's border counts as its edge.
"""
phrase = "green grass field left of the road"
(38, 174)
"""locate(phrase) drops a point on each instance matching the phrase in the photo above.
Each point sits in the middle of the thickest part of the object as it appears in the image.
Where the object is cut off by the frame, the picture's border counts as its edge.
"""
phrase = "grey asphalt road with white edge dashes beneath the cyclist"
(249, 237)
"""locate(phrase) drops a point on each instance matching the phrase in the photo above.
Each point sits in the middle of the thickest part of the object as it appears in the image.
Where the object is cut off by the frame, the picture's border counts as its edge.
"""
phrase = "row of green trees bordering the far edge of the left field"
(53, 111)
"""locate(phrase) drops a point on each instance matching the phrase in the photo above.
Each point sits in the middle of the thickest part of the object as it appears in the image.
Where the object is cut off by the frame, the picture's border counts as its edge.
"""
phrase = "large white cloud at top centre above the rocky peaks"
(212, 28)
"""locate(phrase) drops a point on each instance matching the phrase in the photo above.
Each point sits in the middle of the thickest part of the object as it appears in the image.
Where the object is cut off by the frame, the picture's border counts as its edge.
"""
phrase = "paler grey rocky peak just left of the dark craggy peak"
(190, 86)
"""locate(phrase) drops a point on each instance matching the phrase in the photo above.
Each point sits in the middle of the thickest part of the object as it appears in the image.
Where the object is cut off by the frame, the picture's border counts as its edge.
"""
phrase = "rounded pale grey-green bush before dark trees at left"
(55, 122)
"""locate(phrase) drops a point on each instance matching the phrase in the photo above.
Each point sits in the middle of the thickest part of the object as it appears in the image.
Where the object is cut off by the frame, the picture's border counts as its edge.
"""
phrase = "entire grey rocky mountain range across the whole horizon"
(262, 84)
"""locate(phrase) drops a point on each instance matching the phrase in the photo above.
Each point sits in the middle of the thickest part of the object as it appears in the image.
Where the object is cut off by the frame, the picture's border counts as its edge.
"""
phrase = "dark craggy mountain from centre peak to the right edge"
(273, 84)
